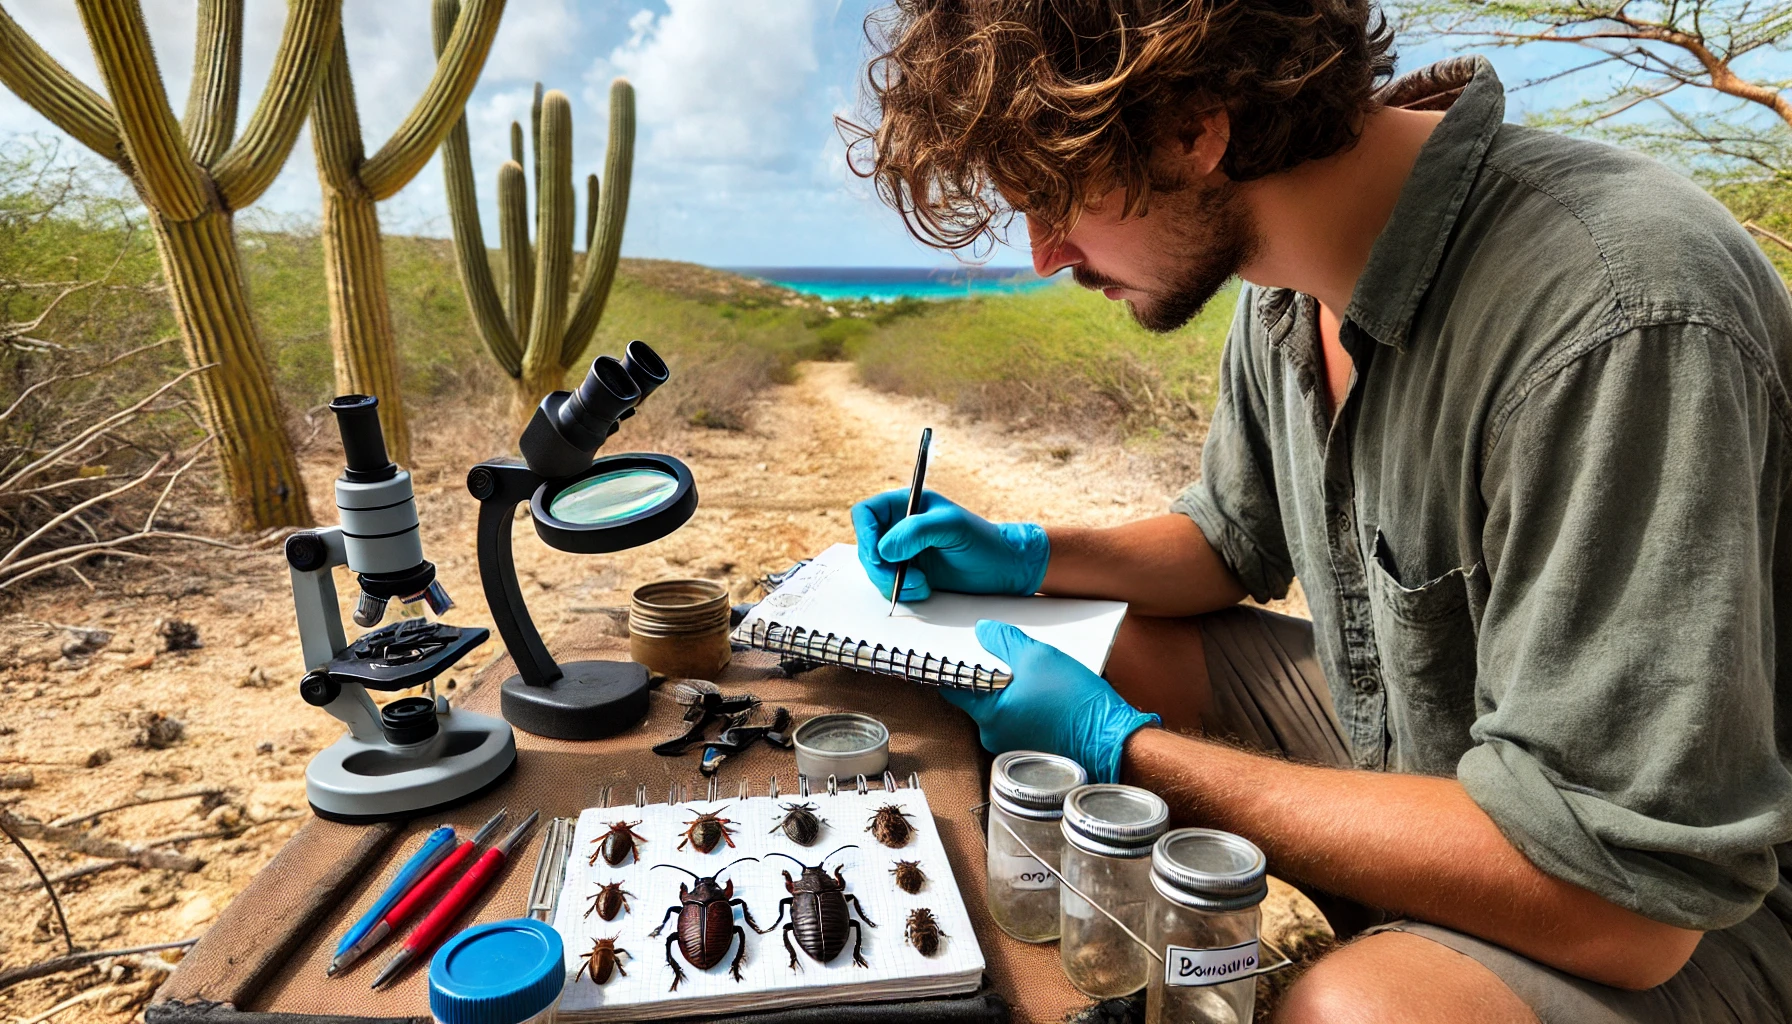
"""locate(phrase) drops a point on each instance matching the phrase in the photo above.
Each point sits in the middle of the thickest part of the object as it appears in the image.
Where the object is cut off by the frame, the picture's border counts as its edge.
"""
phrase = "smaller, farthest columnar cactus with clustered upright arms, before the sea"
(531, 333)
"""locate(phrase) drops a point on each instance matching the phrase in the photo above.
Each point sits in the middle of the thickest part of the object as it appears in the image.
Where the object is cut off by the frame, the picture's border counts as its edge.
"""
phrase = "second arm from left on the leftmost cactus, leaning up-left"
(128, 64)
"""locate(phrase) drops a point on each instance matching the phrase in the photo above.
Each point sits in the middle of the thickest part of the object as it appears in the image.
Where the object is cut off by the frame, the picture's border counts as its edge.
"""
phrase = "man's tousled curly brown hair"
(990, 107)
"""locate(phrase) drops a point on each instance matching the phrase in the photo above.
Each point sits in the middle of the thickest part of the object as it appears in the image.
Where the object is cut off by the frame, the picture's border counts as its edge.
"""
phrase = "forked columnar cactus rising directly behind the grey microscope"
(361, 318)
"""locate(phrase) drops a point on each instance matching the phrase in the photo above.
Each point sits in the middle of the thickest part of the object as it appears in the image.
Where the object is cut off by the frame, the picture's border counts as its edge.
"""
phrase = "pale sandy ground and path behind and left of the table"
(76, 731)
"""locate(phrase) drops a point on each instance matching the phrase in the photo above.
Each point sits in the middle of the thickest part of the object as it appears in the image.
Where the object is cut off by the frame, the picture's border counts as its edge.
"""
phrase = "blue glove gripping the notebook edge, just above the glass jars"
(1055, 704)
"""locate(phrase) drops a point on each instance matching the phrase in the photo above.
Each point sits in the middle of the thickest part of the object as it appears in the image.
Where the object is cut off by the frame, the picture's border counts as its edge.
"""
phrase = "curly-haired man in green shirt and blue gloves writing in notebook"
(1513, 410)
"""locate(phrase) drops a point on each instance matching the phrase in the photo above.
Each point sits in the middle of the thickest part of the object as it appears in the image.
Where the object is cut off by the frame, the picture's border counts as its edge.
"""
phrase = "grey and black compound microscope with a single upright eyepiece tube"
(415, 754)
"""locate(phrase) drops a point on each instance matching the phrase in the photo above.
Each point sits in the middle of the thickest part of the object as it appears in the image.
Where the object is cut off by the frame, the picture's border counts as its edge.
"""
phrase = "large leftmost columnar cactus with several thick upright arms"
(193, 178)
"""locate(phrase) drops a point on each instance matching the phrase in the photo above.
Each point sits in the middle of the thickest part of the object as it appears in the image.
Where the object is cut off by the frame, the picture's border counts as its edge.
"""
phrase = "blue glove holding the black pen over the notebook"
(949, 546)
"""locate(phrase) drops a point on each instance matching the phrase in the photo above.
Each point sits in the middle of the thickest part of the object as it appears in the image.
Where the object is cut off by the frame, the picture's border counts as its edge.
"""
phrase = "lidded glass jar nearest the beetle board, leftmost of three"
(1028, 797)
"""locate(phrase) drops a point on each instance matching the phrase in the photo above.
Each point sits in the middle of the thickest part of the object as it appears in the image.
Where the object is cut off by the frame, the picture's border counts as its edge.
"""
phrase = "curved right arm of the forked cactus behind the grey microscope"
(442, 103)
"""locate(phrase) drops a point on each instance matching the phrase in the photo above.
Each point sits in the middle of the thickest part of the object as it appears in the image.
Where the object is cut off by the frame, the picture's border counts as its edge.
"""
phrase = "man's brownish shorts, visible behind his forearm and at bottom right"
(1271, 695)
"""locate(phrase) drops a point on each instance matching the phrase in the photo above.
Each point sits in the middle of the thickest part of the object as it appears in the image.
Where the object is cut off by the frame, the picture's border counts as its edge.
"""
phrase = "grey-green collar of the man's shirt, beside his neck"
(1406, 256)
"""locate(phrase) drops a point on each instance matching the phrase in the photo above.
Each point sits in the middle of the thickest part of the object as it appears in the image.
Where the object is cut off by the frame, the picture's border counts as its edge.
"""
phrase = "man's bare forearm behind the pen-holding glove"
(1160, 566)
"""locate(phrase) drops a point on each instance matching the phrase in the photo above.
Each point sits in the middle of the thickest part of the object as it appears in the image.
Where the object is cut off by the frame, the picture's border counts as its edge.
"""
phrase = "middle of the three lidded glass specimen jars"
(1108, 837)
